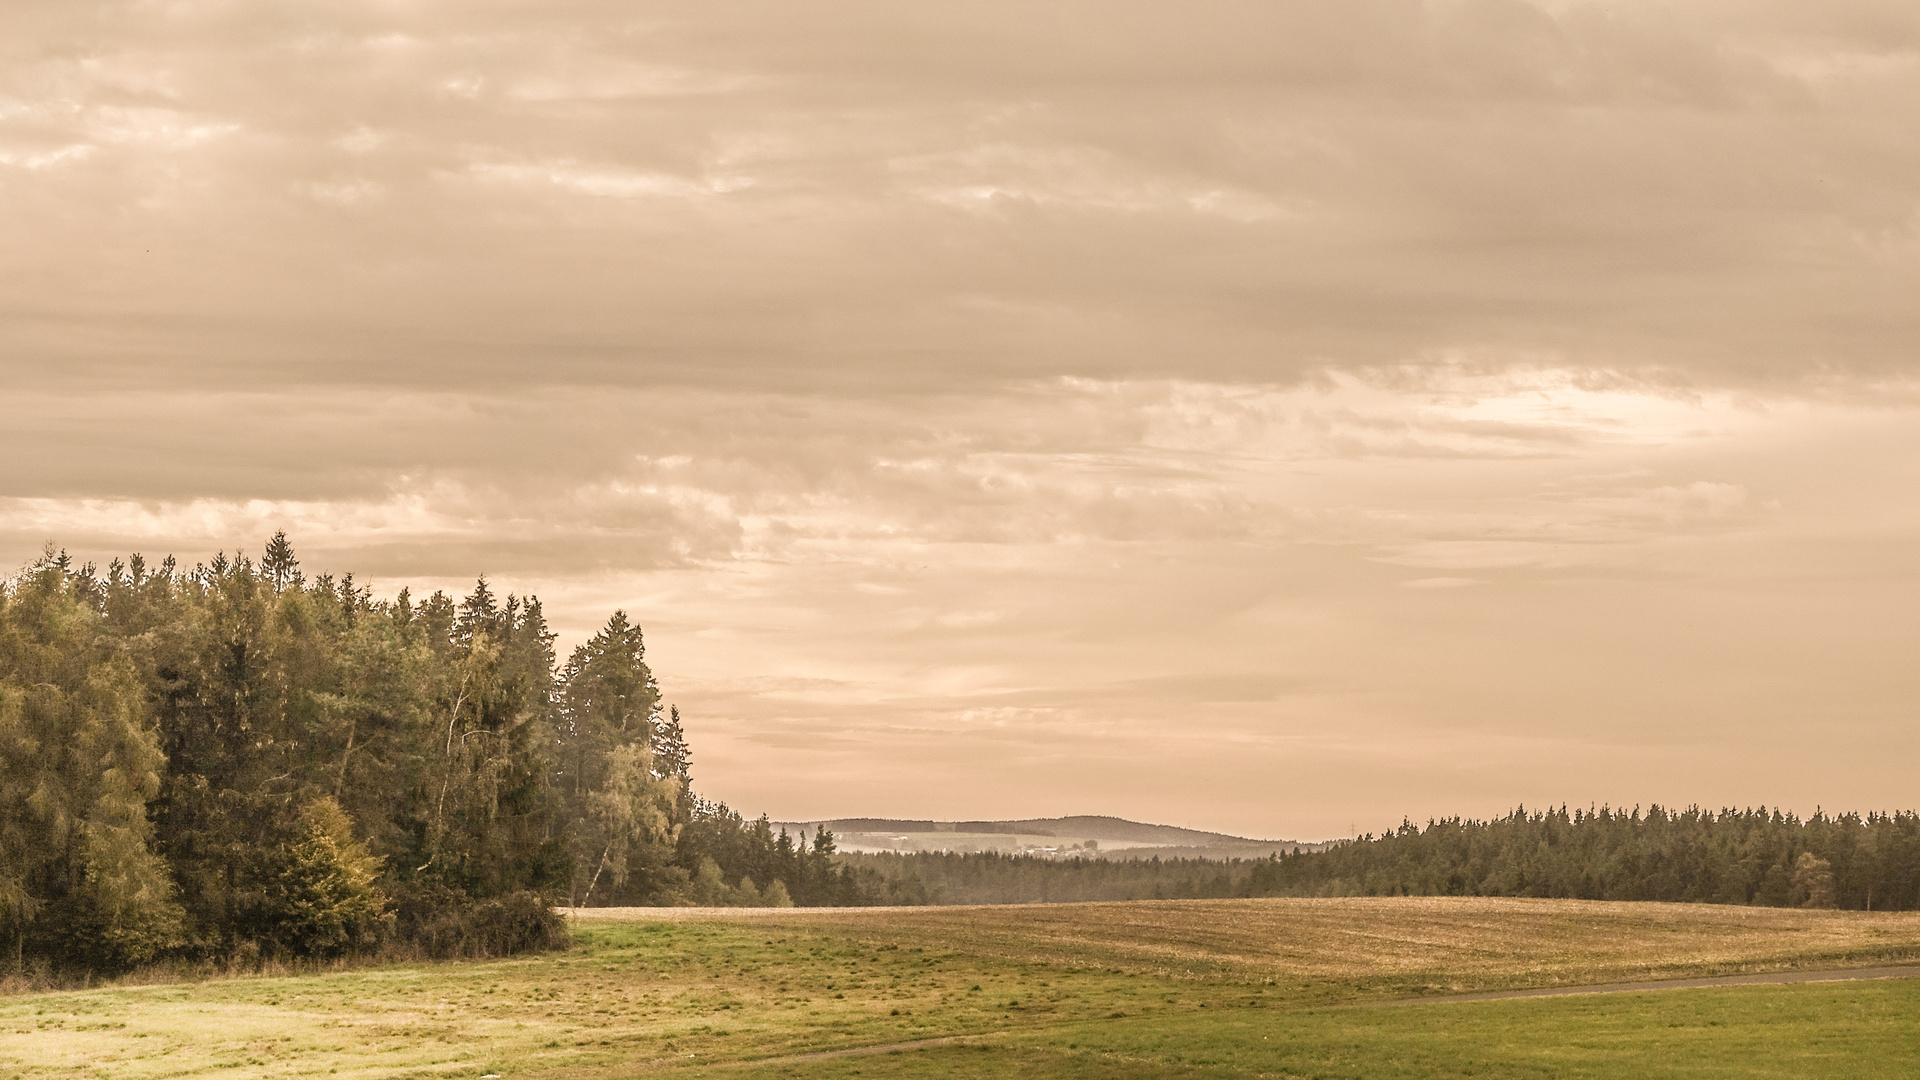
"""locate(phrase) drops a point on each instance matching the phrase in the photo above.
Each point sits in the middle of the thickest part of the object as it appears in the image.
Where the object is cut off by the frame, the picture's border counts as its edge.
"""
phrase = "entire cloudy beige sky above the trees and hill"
(1280, 418)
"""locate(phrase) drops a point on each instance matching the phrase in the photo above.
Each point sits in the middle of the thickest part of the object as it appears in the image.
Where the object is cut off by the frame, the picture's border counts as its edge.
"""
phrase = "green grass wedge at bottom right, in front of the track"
(1788, 1033)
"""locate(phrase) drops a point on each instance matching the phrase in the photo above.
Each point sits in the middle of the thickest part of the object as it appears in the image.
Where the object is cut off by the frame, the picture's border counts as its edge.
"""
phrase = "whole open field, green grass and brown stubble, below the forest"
(1164, 989)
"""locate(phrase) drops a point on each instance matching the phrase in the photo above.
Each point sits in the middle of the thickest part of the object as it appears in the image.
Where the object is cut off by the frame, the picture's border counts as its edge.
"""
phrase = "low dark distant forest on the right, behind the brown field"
(1750, 858)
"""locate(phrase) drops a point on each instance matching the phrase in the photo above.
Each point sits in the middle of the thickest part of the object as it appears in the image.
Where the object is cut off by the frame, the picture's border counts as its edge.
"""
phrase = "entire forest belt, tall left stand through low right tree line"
(235, 762)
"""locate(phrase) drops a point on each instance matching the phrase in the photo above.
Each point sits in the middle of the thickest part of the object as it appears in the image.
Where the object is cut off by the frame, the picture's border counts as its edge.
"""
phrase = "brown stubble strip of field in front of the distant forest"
(1399, 945)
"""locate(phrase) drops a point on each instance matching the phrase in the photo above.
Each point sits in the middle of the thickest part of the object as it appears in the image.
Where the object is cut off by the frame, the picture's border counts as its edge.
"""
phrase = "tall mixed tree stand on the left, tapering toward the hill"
(241, 762)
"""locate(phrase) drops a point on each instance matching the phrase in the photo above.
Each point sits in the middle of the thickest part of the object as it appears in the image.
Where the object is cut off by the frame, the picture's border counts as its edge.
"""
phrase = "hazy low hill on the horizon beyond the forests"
(1080, 837)
